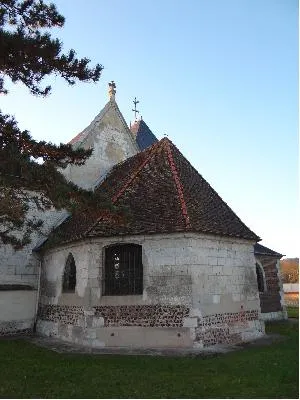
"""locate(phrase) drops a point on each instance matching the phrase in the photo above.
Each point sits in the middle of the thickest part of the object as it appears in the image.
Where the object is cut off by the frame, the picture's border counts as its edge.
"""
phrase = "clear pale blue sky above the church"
(219, 77)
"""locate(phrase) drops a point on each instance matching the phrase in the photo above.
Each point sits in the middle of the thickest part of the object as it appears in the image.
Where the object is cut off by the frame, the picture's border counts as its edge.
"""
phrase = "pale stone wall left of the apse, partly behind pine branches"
(19, 269)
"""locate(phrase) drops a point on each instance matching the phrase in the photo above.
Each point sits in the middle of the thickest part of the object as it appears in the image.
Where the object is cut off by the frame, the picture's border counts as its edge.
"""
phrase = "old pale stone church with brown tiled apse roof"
(169, 264)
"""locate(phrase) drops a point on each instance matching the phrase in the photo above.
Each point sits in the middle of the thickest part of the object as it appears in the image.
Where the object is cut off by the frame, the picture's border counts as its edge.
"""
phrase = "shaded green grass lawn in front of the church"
(28, 371)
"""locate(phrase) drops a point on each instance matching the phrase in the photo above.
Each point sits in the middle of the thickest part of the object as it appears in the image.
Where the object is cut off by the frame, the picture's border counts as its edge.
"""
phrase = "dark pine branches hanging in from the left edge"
(28, 54)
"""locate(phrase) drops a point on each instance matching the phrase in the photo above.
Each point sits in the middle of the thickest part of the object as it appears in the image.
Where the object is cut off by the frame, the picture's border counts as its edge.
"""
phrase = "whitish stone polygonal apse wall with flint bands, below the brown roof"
(198, 290)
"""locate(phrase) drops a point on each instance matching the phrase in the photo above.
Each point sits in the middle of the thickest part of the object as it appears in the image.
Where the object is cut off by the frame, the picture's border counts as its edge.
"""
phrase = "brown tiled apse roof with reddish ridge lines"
(163, 193)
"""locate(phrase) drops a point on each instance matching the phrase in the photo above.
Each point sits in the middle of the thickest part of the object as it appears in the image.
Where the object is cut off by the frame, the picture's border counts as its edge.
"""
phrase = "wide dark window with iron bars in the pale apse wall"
(123, 270)
